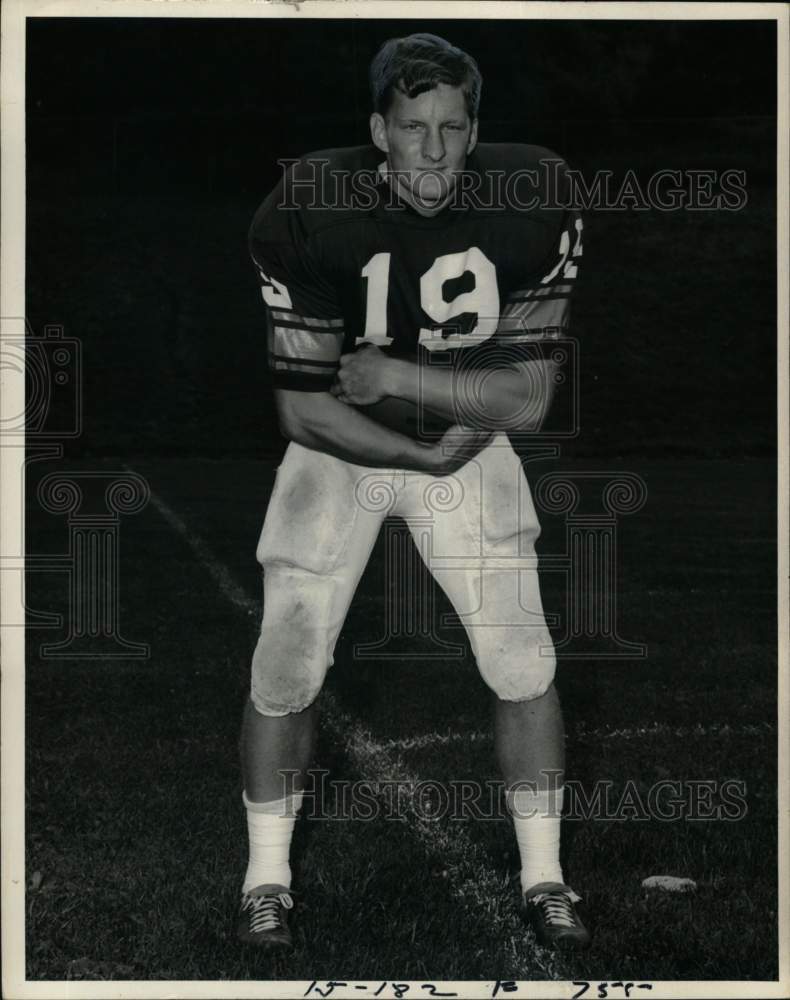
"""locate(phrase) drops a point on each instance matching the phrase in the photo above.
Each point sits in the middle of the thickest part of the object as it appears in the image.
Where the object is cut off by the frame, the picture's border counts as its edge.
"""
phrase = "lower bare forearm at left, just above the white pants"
(322, 423)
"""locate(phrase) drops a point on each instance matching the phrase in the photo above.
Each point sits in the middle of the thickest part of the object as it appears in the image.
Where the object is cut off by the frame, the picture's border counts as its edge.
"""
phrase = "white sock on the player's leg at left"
(270, 827)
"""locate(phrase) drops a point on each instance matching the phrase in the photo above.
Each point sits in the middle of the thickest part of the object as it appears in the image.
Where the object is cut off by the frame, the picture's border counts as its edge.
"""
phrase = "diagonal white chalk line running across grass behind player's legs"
(477, 888)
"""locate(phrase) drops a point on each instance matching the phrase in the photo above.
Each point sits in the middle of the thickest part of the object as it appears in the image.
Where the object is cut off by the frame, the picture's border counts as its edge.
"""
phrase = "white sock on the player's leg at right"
(536, 818)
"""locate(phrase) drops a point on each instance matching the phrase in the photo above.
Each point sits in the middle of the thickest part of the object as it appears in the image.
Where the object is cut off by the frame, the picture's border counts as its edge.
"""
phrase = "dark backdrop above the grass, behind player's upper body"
(151, 142)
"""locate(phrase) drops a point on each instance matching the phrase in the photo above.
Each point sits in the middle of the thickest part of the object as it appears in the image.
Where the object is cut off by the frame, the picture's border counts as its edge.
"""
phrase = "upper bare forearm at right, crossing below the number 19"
(491, 398)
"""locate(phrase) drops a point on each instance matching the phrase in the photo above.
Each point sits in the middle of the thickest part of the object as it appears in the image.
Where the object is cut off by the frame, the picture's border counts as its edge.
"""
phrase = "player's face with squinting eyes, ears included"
(427, 139)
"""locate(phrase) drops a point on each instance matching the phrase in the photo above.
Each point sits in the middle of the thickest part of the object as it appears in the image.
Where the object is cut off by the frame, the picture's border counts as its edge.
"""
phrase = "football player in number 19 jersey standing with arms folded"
(413, 288)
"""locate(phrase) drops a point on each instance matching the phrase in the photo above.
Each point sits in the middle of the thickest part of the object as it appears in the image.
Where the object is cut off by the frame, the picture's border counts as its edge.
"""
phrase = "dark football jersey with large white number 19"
(341, 260)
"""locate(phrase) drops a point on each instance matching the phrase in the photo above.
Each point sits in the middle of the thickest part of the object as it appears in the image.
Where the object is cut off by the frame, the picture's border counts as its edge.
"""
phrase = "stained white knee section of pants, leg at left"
(294, 648)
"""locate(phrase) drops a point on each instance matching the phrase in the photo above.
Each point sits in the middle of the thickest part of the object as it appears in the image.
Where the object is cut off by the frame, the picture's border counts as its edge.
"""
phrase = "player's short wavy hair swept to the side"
(418, 63)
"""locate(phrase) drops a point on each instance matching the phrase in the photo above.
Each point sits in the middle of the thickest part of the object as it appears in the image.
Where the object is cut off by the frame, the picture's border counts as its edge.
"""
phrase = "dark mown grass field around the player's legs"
(135, 828)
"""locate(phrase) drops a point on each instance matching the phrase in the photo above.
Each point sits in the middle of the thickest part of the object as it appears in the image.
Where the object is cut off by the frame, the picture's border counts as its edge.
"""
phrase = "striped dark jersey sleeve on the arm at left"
(305, 326)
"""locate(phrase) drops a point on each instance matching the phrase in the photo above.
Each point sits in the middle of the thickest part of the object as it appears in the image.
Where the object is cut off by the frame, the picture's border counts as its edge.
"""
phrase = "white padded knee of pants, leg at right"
(518, 664)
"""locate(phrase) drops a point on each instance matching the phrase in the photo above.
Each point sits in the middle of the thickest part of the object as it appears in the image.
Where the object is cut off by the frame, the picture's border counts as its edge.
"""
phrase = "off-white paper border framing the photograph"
(12, 304)
